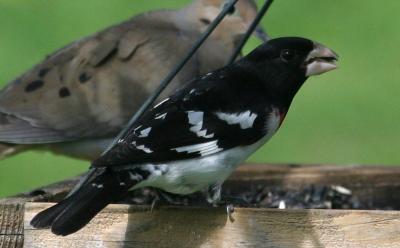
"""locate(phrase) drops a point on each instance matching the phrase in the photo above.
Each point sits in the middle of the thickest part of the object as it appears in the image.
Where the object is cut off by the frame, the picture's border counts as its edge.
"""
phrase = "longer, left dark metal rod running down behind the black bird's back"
(227, 8)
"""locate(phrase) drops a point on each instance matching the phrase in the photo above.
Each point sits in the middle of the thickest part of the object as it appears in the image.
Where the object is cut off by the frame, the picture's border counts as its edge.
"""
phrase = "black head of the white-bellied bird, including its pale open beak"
(285, 63)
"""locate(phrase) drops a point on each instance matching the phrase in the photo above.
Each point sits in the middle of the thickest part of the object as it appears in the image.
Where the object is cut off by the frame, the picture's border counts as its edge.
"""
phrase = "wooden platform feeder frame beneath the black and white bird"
(172, 226)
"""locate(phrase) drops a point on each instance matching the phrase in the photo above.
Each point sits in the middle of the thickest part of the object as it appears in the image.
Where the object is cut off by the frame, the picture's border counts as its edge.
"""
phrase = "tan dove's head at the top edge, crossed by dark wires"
(234, 24)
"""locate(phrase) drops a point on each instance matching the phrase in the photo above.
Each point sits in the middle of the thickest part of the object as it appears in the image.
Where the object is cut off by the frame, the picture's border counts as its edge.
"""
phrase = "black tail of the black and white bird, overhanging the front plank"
(99, 188)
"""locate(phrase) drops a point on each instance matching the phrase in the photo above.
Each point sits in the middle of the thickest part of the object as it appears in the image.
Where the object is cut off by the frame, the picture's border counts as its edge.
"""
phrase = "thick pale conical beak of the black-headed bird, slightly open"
(320, 60)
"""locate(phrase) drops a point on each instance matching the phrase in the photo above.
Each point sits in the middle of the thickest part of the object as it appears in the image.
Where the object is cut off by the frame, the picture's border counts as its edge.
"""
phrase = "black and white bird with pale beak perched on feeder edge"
(194, 139)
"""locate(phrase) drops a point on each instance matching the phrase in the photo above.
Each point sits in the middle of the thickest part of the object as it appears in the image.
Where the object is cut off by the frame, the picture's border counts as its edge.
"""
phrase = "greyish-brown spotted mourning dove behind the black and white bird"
(76, 100)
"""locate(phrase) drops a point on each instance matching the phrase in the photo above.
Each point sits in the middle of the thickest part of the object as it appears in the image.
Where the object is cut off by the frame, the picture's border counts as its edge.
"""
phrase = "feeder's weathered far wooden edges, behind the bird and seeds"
(364, 180)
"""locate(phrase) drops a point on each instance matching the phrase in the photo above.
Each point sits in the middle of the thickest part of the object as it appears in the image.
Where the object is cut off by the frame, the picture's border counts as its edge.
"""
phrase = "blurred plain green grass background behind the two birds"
(349, 116)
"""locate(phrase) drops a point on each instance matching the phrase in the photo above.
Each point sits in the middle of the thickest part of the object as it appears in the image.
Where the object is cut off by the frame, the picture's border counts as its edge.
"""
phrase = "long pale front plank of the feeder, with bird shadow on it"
(133, 226)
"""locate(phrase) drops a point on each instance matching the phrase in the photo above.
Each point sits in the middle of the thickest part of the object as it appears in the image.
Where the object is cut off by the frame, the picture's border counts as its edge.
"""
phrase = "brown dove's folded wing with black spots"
(92, 87)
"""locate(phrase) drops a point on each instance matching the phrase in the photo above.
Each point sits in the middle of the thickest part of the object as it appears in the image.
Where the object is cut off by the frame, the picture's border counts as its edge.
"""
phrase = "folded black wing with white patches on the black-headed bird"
(206, 117)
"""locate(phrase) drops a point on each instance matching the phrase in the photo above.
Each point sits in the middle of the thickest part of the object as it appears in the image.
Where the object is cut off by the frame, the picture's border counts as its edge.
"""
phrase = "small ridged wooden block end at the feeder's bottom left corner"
(11, 225)
